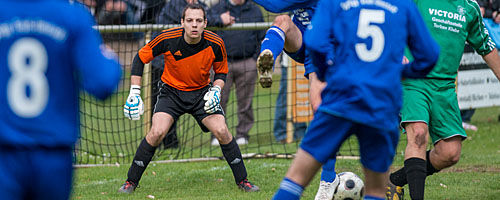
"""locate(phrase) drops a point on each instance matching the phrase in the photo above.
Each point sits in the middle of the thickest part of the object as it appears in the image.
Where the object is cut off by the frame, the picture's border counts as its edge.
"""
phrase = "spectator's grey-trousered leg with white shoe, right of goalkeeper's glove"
(246, 73)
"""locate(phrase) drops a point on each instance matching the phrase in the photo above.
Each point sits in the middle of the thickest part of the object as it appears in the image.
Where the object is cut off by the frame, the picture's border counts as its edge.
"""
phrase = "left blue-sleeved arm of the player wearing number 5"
(319, 38)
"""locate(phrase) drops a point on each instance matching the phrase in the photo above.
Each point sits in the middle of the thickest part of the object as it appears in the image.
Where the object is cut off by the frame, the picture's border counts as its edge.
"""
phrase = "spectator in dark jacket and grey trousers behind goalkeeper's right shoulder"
(242, 50)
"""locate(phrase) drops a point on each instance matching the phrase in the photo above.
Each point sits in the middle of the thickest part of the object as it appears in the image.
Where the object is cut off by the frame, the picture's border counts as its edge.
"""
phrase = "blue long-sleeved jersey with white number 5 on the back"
(369, 37)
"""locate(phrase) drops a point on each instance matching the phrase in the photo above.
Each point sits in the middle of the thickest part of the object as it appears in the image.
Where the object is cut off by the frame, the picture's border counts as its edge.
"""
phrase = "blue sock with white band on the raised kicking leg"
(274, 41)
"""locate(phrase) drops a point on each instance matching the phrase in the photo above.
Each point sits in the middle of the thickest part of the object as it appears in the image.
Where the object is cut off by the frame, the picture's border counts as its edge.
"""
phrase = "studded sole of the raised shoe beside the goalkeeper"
(265, 63)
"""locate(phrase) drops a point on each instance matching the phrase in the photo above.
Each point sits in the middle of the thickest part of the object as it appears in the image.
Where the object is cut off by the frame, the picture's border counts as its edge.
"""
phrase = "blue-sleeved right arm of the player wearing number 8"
(97, 65)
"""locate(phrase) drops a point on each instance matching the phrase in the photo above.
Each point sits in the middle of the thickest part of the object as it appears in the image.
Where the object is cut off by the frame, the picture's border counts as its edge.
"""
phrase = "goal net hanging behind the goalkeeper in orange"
(108, 138)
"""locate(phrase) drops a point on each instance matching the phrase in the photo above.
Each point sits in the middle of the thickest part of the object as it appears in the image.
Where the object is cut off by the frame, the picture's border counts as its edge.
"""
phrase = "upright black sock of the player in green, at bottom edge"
(416, 172)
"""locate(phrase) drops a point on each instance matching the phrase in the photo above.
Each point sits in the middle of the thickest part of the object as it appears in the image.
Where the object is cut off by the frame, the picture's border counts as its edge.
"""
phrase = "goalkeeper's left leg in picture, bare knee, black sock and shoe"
(145, 152)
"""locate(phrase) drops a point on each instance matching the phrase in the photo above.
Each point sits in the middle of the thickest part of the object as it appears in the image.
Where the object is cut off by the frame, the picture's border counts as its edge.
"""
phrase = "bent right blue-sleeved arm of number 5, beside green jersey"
(423, 47)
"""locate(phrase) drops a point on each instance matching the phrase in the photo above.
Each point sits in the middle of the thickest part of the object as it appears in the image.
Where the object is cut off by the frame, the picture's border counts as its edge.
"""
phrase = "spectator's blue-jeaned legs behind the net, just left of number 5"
(280, 120)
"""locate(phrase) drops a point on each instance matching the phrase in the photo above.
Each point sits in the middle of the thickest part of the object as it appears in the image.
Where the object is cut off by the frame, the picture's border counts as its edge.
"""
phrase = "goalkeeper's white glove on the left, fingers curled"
(134, 107)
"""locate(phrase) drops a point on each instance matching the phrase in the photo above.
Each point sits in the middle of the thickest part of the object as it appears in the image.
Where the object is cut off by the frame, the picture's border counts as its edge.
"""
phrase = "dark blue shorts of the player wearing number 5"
(326, 134)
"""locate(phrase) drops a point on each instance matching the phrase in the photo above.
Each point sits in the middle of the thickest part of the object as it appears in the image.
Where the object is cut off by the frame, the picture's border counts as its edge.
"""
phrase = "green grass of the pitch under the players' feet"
(476, 176)
